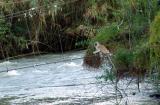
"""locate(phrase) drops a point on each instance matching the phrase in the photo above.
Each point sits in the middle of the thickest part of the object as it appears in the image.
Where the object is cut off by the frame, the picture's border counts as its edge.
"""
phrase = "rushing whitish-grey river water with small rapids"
(63, 83)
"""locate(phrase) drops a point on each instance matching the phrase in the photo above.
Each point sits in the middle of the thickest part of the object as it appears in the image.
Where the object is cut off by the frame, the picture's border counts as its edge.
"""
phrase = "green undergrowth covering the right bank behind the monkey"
(132, 35)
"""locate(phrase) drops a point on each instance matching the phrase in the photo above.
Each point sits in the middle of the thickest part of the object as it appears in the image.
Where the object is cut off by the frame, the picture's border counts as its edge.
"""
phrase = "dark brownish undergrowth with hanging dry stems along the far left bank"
(43, 26)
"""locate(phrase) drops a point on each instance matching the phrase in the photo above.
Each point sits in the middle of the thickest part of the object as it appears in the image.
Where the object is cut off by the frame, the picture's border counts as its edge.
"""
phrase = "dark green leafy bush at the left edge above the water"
(10, 43)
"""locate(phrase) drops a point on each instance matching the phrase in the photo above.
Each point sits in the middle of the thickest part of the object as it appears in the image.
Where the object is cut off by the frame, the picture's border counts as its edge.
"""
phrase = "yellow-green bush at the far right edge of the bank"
(154, 44)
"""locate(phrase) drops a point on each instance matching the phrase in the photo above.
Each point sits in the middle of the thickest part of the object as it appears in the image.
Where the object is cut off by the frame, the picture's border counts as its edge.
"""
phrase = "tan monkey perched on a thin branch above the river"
(101, 49)
